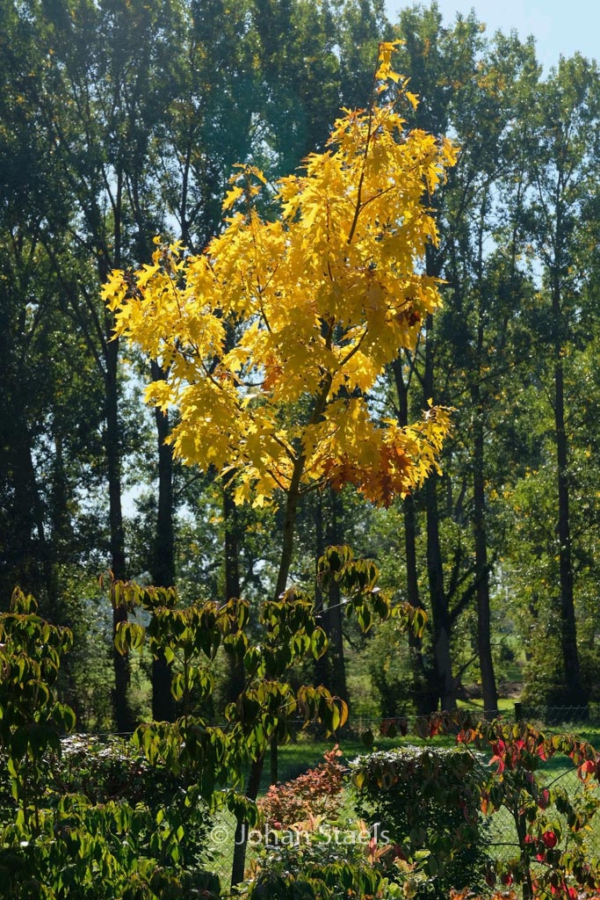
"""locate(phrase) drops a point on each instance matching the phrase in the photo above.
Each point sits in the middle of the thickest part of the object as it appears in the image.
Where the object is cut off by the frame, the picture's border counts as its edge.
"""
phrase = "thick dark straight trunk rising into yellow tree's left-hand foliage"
(163, 567)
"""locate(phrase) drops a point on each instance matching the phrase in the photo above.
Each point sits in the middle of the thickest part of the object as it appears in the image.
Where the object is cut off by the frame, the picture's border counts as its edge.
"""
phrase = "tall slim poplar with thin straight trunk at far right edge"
(563, 175)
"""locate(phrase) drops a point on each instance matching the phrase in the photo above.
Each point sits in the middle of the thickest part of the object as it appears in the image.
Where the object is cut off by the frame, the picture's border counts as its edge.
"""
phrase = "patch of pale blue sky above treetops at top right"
(559, 26)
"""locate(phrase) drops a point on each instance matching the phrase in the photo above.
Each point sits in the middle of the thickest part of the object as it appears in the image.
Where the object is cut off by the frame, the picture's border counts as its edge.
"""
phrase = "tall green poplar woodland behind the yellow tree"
(123, 120)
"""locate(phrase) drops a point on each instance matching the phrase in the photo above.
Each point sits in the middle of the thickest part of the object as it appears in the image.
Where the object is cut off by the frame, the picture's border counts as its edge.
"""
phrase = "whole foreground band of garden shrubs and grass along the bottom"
(145, 818)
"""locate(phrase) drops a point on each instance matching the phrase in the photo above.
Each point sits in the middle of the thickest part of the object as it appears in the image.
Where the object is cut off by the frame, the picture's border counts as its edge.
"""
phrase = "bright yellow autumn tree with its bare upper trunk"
(274, 336)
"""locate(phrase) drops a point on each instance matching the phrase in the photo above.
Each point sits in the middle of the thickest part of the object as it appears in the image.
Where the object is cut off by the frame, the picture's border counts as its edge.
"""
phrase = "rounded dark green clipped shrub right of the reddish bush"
(427, 800)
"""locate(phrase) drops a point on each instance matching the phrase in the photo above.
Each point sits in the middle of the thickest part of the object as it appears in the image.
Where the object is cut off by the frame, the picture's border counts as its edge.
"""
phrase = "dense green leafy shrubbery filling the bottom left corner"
(78, 819)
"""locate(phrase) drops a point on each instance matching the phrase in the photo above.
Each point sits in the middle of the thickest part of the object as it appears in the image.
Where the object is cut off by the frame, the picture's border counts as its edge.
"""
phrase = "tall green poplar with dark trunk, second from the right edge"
(472, 88)
